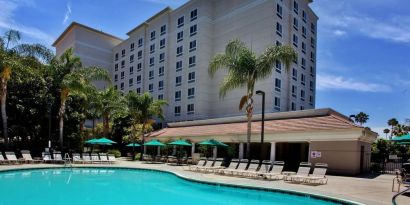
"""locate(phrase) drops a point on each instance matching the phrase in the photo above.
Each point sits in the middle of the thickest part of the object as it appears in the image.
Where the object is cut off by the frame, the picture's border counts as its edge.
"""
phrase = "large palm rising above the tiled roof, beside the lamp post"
(244, 69)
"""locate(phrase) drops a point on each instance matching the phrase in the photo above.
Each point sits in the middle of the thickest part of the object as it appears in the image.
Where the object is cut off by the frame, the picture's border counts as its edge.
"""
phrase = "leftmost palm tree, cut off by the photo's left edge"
(19, 57)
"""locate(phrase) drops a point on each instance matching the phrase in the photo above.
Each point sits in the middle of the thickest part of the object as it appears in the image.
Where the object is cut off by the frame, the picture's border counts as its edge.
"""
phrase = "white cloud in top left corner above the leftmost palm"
(7, 11)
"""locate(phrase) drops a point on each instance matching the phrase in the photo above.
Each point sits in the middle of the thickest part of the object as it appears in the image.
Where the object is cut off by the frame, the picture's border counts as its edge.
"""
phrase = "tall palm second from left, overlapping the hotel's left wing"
(72, 78)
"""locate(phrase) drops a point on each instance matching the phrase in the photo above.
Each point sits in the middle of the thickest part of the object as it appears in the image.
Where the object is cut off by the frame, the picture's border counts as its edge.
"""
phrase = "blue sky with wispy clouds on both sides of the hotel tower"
(363, 45)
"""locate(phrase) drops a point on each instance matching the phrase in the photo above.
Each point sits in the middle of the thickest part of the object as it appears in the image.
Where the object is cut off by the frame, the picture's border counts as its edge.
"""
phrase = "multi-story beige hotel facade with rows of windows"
(168, 55)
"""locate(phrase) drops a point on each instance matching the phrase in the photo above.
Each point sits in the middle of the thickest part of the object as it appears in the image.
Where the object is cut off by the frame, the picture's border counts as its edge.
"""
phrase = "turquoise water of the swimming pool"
(88, 186)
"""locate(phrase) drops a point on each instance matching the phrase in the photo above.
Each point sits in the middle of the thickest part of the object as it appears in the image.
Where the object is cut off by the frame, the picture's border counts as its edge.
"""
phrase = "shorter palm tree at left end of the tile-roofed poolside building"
(142, 110)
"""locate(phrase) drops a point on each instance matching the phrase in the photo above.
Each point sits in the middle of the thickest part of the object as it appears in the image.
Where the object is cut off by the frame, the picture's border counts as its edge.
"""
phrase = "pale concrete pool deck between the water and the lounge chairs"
(375, 191)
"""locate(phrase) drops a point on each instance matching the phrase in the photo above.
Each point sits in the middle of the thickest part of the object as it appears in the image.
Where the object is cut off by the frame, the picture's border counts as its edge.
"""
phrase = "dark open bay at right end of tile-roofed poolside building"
(292, 154)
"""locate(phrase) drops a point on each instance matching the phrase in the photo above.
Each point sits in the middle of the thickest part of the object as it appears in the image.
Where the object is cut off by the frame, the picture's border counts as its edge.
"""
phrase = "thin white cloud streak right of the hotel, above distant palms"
(333, 82)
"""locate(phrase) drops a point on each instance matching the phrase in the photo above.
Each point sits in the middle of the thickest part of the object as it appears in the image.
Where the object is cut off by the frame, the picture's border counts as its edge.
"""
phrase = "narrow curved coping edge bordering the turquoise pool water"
(277, 190)
